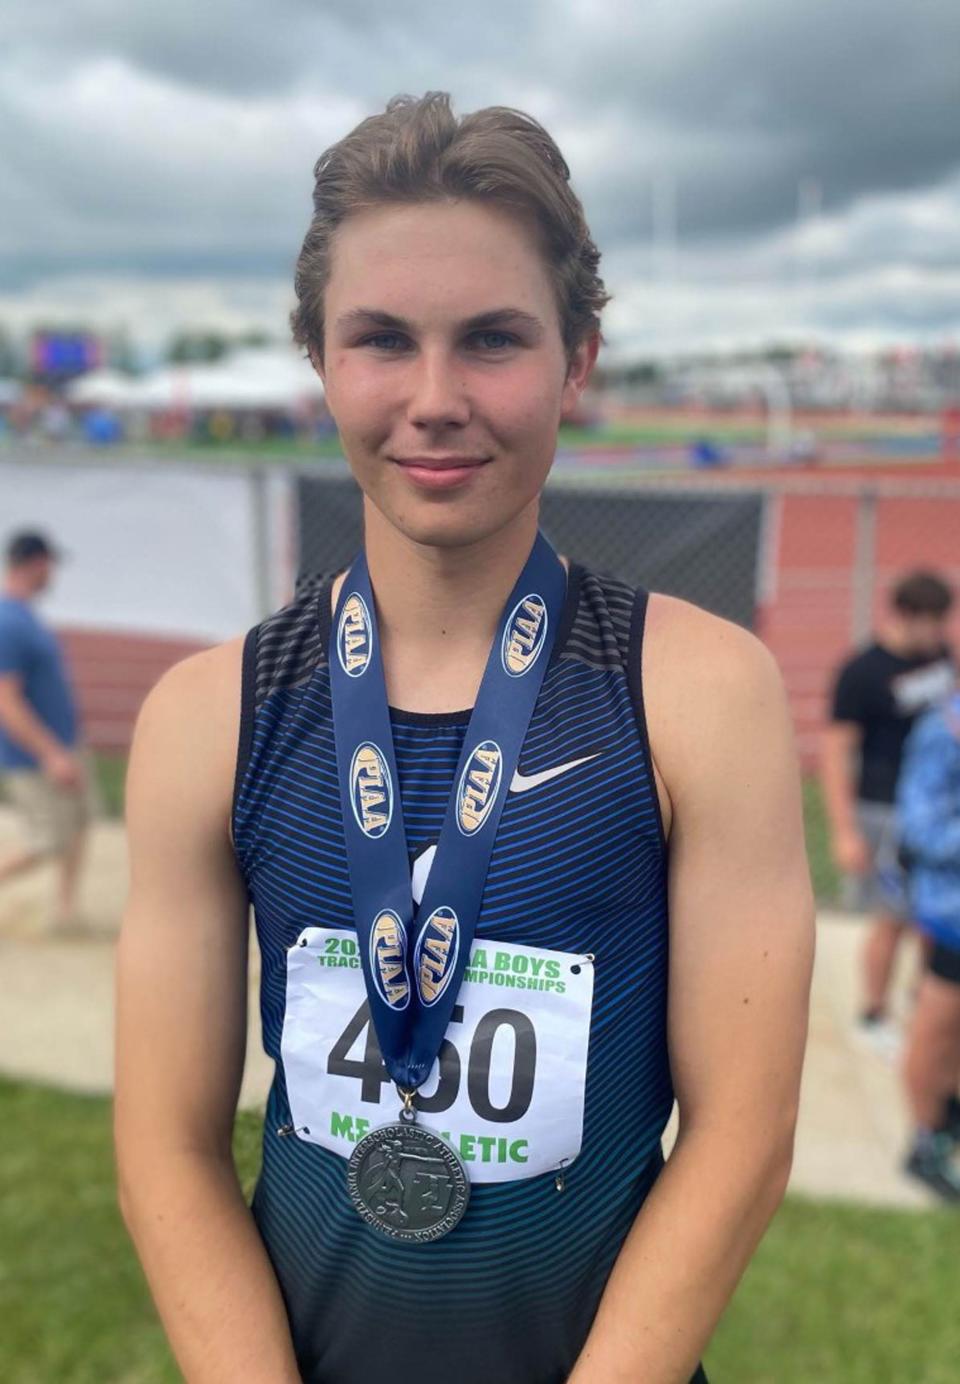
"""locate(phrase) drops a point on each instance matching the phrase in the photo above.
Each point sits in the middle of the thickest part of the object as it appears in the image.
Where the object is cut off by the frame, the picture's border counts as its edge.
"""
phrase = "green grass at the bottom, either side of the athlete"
(836, 1295)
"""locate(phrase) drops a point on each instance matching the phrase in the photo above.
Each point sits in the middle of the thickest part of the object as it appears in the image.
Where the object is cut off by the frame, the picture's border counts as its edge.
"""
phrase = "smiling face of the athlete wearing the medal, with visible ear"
(445, 366)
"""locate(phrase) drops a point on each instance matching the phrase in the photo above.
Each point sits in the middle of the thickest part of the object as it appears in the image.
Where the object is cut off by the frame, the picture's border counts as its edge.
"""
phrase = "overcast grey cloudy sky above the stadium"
(157, 160)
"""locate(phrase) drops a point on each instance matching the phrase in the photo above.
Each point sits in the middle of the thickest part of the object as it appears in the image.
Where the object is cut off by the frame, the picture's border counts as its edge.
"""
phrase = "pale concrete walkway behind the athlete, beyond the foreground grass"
(56, 1026)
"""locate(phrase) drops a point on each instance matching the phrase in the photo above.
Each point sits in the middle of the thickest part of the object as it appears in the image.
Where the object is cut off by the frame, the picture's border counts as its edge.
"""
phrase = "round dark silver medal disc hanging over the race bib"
(407, 1183)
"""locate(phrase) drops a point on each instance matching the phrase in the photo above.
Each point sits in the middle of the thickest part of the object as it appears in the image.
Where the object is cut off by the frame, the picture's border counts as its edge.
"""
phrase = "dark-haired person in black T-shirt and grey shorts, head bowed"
(878, 697)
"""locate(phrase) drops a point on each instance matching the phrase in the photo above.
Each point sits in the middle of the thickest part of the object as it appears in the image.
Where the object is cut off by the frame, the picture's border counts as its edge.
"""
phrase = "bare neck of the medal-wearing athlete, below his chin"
(449, 599)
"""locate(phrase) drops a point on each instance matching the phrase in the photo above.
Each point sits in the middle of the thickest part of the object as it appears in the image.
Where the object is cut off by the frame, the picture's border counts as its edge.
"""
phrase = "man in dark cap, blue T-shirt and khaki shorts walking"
(44, 770)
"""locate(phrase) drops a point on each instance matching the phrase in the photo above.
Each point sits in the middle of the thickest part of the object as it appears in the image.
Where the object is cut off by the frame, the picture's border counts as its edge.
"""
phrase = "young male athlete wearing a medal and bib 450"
(450, 300)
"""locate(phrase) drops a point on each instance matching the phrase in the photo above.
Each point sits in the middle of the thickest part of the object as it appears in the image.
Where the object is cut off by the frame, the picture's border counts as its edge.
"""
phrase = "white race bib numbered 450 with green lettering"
(507, 1090)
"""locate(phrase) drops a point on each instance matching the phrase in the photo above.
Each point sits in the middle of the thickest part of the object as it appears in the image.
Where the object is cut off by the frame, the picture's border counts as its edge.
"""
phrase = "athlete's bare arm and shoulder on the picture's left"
(181, 1039)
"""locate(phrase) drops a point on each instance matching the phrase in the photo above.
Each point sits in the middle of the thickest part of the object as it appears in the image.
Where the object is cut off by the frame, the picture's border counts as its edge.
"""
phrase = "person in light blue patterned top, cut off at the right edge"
(929, 810)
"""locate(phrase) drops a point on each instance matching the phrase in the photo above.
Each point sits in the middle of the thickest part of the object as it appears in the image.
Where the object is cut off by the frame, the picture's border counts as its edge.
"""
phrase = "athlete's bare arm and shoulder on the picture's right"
(742, 945)
